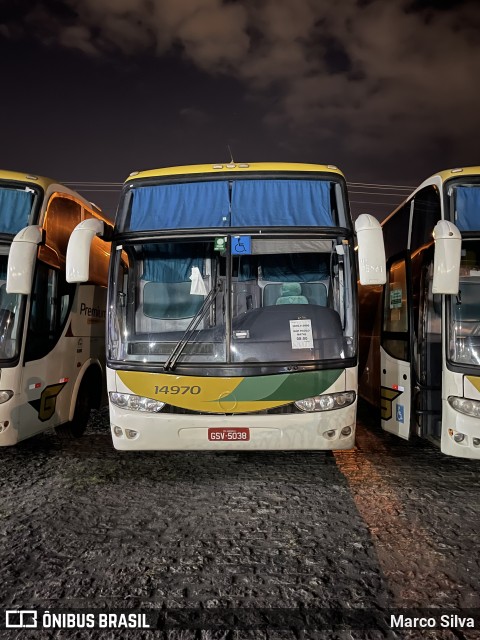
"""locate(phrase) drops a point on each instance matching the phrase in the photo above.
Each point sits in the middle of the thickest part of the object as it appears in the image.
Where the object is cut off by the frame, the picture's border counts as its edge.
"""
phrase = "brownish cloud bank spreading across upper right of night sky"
(368, 79)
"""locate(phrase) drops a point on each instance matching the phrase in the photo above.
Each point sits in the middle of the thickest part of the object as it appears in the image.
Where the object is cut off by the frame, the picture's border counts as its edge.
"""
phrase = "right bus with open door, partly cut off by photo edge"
(422, 359)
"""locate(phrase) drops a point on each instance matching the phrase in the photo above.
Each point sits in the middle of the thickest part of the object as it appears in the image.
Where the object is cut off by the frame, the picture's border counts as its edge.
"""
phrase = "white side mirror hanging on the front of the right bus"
(446, 261)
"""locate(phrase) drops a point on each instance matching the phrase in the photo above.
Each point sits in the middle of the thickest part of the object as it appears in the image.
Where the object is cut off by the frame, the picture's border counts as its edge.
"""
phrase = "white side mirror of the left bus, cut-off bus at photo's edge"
(21, 259)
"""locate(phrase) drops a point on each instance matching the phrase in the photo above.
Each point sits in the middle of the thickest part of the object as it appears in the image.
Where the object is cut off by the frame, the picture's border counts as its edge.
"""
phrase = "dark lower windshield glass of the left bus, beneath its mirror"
(10, 317)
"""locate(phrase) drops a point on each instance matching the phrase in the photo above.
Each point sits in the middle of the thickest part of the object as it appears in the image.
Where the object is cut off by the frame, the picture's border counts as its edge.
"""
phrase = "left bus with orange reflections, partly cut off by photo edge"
(51, 332)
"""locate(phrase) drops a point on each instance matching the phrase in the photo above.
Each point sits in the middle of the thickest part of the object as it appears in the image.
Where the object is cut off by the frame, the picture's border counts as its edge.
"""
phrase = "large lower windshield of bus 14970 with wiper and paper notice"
(232, 300)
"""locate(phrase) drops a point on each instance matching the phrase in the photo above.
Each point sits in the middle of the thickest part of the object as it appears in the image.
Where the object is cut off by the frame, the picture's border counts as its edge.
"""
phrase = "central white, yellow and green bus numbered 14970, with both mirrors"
(232, 310)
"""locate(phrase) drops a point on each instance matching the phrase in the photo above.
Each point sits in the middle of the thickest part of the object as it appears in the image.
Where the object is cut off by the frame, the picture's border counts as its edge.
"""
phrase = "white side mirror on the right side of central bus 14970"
(371, 250)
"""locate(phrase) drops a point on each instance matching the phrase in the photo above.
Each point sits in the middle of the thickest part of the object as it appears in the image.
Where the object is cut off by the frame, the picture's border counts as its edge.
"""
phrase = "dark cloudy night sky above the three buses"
(388, 90)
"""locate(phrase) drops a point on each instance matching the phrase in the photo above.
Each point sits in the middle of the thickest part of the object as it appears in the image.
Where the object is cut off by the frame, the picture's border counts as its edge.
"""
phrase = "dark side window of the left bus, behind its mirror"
(50, 302)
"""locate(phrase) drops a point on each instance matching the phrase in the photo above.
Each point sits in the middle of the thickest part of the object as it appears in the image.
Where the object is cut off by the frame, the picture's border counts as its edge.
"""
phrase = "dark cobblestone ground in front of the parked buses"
(249, 545)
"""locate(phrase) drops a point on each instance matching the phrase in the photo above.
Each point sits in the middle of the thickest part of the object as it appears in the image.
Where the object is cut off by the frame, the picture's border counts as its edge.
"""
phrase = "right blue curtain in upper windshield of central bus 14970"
(281, 203)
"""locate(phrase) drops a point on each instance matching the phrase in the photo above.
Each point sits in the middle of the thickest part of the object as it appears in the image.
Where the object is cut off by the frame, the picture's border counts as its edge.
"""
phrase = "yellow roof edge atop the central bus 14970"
(234, 167)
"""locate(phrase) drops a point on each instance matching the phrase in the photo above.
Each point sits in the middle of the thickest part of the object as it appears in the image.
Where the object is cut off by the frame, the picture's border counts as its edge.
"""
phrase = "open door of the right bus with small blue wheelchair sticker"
(395, 369)
